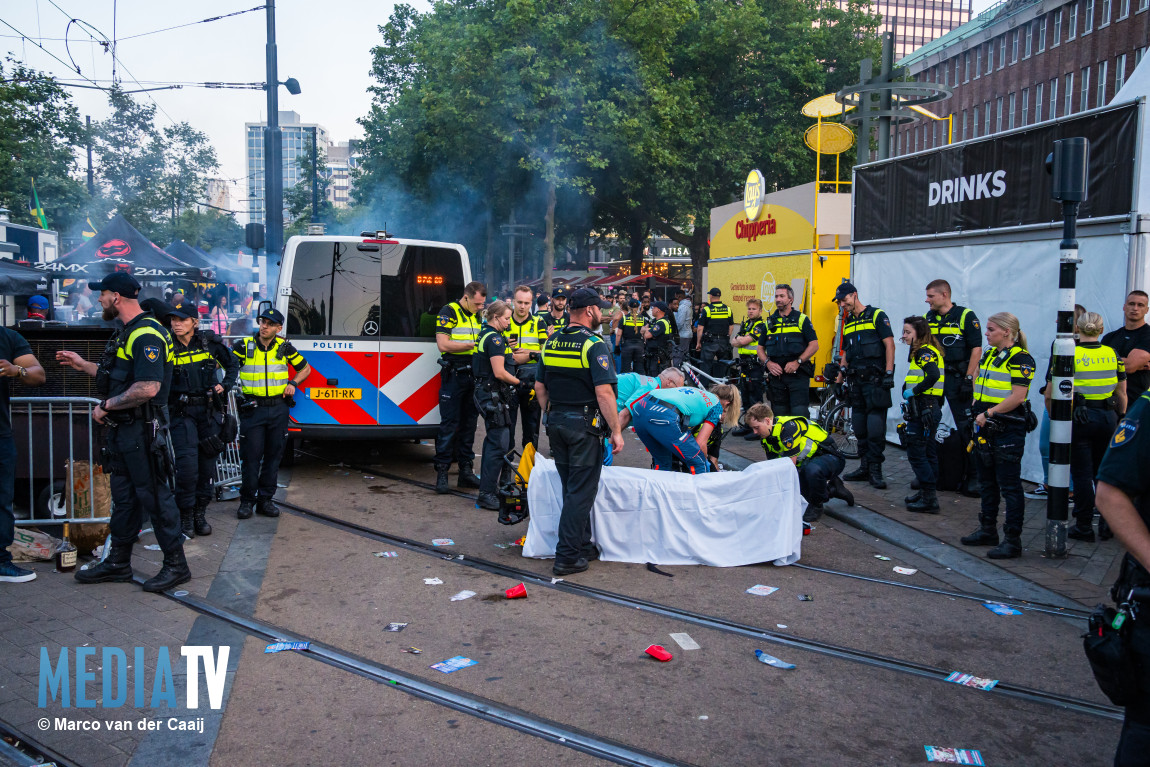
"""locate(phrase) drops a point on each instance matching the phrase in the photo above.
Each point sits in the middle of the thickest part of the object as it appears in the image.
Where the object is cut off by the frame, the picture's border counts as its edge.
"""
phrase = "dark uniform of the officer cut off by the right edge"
(1125, 469)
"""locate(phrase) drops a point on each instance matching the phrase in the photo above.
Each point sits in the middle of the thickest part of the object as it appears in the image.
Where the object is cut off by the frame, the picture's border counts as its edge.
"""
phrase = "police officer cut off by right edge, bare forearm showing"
(1124, 501)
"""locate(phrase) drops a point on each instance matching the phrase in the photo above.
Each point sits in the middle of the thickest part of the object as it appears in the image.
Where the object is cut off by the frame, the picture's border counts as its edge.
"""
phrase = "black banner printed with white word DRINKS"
(998, 182)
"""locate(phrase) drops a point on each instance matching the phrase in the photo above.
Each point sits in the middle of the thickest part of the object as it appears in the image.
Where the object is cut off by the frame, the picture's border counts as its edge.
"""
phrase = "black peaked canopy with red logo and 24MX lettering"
(120, 248)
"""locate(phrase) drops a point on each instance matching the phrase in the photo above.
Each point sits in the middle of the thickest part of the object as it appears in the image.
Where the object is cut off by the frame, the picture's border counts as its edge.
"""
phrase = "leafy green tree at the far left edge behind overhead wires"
(40, 134)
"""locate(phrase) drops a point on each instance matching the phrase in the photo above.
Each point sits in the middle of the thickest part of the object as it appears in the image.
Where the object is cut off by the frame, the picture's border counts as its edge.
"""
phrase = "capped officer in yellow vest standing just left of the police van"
(267, 387)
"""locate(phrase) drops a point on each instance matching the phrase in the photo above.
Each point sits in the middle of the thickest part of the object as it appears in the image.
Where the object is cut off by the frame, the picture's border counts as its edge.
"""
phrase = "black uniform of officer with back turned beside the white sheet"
(574, 363)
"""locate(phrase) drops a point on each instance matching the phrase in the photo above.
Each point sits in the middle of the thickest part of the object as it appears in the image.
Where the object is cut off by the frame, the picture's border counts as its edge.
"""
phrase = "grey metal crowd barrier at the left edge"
(62, 446)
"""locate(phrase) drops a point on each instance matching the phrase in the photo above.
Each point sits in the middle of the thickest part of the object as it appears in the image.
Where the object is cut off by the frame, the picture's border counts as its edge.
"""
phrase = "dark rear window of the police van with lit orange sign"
(397, 292)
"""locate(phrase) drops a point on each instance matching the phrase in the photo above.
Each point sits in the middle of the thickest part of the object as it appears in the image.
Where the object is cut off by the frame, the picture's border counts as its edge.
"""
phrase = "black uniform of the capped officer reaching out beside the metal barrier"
(137, 456)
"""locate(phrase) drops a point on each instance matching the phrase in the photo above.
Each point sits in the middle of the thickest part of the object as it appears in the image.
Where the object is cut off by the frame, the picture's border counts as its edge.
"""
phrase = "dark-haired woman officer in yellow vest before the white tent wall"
(923, 390)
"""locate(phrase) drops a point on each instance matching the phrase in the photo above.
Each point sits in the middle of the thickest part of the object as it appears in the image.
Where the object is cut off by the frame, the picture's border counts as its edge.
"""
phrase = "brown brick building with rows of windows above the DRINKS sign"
(1026, 62)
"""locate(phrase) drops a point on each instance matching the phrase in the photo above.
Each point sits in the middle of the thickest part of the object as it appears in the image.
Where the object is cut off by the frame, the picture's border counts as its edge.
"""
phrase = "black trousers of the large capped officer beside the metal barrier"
(137, 494)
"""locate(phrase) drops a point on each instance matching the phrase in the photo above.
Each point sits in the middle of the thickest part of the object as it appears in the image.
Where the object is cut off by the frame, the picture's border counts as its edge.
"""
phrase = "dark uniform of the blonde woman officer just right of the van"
(493, 400)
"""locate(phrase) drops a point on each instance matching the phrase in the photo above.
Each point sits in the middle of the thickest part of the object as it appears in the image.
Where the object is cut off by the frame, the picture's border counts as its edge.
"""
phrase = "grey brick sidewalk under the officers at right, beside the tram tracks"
(1085, 576)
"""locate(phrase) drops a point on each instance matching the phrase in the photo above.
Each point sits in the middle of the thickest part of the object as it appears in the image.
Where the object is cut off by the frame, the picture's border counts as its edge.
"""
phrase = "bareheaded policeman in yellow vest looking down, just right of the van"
(457, 332)
